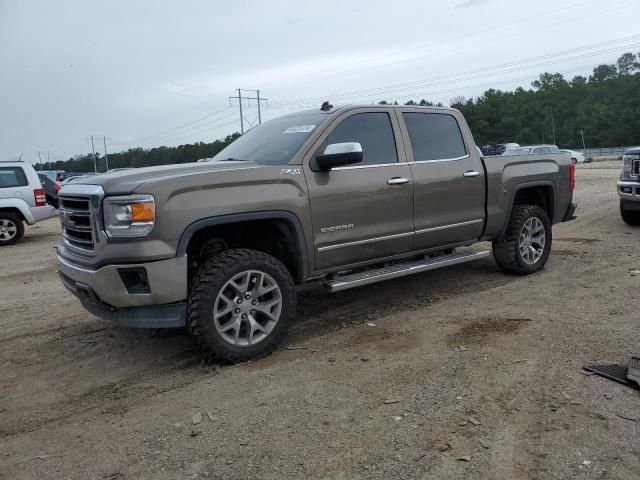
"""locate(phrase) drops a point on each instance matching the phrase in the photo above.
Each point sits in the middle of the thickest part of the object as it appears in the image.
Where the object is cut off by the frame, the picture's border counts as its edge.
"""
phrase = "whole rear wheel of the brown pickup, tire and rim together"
(525, 246)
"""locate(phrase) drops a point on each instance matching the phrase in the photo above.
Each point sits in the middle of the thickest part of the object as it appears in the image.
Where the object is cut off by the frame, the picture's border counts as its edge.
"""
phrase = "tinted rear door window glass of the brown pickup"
(434, 136)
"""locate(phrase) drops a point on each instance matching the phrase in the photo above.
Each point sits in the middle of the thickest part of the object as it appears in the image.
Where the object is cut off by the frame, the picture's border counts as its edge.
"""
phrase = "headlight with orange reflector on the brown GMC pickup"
(129, 216)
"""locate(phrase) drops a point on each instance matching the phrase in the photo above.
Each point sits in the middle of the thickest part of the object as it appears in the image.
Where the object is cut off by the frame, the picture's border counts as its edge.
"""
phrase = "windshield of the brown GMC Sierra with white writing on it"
(274, 142)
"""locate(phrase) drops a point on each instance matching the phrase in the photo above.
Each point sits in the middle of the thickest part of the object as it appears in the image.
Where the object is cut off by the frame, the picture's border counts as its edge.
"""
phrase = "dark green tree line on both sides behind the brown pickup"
(603, 108)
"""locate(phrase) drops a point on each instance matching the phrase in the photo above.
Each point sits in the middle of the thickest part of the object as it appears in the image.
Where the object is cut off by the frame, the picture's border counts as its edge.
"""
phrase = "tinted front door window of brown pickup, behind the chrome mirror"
(373, 131)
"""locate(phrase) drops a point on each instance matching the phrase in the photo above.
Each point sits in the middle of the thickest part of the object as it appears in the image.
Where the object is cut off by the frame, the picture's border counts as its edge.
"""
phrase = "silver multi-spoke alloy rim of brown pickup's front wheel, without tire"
(247, 308)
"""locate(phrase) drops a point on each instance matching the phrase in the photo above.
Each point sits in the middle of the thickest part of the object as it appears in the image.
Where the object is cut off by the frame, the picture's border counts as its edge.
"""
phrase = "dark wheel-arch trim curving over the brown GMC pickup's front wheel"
(244, 217)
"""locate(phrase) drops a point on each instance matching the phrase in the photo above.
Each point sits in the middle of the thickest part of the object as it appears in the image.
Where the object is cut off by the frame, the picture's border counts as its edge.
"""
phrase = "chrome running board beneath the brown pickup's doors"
(352, 280)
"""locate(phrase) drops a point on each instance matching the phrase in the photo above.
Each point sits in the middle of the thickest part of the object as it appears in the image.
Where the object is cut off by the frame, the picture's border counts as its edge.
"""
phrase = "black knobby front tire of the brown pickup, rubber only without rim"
(210, 277)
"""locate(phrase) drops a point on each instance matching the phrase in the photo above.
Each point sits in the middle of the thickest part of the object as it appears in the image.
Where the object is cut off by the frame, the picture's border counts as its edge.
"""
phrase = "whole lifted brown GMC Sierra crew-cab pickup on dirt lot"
(348, 196)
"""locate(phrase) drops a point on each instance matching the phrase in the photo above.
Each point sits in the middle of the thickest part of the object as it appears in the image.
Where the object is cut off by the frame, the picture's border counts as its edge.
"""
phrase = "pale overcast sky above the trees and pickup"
(147, 73)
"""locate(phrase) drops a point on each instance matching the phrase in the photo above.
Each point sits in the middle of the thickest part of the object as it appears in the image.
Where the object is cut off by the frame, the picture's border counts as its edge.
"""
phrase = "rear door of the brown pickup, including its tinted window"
(449, 183)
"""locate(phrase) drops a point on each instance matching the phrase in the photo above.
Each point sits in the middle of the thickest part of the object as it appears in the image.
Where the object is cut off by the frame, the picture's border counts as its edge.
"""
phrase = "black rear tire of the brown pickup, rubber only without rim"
(506, 249)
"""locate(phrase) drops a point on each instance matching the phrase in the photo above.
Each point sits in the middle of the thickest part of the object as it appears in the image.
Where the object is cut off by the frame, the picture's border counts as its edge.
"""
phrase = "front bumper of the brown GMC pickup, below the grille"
(146, 295)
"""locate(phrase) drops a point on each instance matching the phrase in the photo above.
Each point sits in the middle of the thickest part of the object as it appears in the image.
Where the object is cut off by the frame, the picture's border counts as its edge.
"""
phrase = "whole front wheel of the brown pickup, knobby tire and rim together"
(240, 302)
